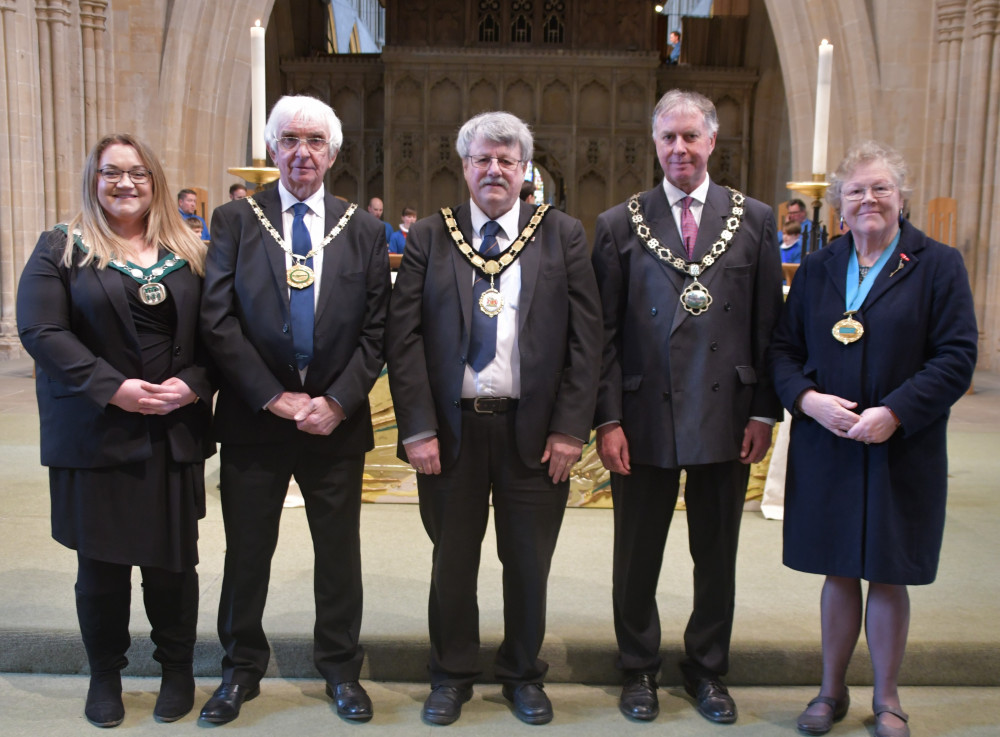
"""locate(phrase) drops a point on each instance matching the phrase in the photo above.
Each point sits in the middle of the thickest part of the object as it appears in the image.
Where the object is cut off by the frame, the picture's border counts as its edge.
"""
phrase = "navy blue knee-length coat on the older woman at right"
(874, 511)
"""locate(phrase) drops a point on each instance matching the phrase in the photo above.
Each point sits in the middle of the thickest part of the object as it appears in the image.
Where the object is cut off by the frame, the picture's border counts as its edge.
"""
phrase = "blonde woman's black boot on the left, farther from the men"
(104, 627)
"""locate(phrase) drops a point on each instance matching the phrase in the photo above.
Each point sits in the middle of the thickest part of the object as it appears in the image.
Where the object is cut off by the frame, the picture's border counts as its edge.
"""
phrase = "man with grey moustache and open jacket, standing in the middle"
(493, 371)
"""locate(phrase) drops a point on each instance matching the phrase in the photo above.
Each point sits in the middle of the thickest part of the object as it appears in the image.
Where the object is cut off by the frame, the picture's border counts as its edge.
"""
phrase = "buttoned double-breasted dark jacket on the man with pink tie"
(684, 386)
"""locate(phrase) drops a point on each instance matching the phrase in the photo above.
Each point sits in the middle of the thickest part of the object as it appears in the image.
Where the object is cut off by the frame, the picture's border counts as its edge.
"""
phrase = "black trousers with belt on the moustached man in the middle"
(528, 511)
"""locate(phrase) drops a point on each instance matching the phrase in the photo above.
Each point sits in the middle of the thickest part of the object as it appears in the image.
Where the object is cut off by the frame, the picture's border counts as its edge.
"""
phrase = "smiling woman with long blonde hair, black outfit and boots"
(108, 308)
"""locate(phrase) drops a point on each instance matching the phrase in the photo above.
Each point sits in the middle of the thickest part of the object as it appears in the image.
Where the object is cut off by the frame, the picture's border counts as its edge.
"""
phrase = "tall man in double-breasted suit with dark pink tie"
(683, 386)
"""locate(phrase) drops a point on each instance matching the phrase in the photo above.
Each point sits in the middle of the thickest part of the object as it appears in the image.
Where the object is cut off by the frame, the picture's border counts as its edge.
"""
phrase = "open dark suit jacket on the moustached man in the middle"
(427, 339)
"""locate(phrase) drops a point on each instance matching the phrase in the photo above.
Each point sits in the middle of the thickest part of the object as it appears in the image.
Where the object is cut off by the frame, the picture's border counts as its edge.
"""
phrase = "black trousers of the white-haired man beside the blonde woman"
(254, 480)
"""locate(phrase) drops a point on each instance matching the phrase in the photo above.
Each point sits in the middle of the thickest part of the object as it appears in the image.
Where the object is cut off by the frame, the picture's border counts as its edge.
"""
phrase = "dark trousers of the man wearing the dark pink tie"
(644, 506)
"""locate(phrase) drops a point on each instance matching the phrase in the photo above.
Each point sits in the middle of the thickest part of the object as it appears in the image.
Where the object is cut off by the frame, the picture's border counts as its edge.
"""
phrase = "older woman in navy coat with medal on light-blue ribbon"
(877, 341)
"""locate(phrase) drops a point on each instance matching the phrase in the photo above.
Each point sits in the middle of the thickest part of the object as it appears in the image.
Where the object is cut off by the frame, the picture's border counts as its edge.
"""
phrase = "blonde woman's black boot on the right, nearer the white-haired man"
(173, 614)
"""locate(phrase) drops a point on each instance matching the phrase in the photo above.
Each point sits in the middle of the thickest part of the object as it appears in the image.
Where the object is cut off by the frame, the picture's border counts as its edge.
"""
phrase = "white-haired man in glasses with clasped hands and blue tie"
(296, 290)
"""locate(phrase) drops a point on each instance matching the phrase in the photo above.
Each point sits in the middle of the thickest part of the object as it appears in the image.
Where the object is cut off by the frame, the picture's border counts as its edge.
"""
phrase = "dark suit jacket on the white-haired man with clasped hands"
(246, 324)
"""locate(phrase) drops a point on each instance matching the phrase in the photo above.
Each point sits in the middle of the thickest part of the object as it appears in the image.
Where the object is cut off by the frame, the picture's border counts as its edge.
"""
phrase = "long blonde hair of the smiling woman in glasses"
(163, 223)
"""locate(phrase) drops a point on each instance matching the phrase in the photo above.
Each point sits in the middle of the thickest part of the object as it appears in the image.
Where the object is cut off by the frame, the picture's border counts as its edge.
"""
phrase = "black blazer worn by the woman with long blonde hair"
(76, 323)
